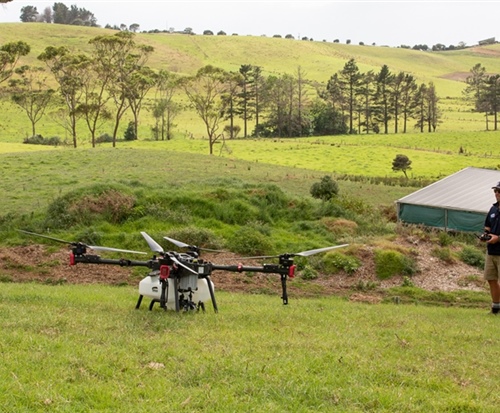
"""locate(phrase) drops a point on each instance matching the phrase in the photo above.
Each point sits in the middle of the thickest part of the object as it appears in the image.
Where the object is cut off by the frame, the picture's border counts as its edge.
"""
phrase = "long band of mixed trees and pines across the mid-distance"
(99, 88)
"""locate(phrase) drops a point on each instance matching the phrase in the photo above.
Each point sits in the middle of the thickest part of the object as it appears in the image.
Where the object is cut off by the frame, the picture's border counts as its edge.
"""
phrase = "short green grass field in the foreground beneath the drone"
(85, 348)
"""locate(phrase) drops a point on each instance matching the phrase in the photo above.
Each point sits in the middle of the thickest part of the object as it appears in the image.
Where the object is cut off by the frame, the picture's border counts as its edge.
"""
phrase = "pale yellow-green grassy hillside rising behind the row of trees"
(185, 54)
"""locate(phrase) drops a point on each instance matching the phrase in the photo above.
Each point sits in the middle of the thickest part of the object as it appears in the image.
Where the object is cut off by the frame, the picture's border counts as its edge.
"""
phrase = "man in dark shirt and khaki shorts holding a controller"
(492, 261)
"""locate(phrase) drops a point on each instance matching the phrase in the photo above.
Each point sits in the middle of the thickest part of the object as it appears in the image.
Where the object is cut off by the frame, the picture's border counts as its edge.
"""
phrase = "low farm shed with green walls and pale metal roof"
(458, 202)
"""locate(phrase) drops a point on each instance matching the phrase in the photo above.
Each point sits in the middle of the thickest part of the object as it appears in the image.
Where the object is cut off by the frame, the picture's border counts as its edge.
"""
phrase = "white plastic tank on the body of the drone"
(150, 287)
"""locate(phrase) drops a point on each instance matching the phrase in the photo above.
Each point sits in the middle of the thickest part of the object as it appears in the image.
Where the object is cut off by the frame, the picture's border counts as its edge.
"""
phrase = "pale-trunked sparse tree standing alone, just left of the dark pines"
(205, 92)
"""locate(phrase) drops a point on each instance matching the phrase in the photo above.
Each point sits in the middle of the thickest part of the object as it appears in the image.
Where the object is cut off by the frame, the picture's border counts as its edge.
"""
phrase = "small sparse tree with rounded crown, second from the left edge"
(31, 92)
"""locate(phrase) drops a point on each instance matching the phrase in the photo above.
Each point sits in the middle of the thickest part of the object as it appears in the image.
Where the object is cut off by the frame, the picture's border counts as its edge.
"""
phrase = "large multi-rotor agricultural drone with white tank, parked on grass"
(181, 280)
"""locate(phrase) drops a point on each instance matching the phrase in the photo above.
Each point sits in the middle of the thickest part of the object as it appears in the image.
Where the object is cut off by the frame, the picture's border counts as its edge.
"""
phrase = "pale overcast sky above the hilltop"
(391, 23)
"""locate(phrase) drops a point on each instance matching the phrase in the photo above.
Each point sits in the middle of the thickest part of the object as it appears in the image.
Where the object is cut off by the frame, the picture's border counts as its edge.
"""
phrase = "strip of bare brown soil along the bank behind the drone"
(38, 263)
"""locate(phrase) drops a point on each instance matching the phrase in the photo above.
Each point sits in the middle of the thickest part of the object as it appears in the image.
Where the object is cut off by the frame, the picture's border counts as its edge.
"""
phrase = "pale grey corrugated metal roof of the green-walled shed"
(466, 190)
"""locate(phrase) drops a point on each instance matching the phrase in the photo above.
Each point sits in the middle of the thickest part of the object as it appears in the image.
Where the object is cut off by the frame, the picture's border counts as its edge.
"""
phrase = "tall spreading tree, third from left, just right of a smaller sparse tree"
(70, 71)
